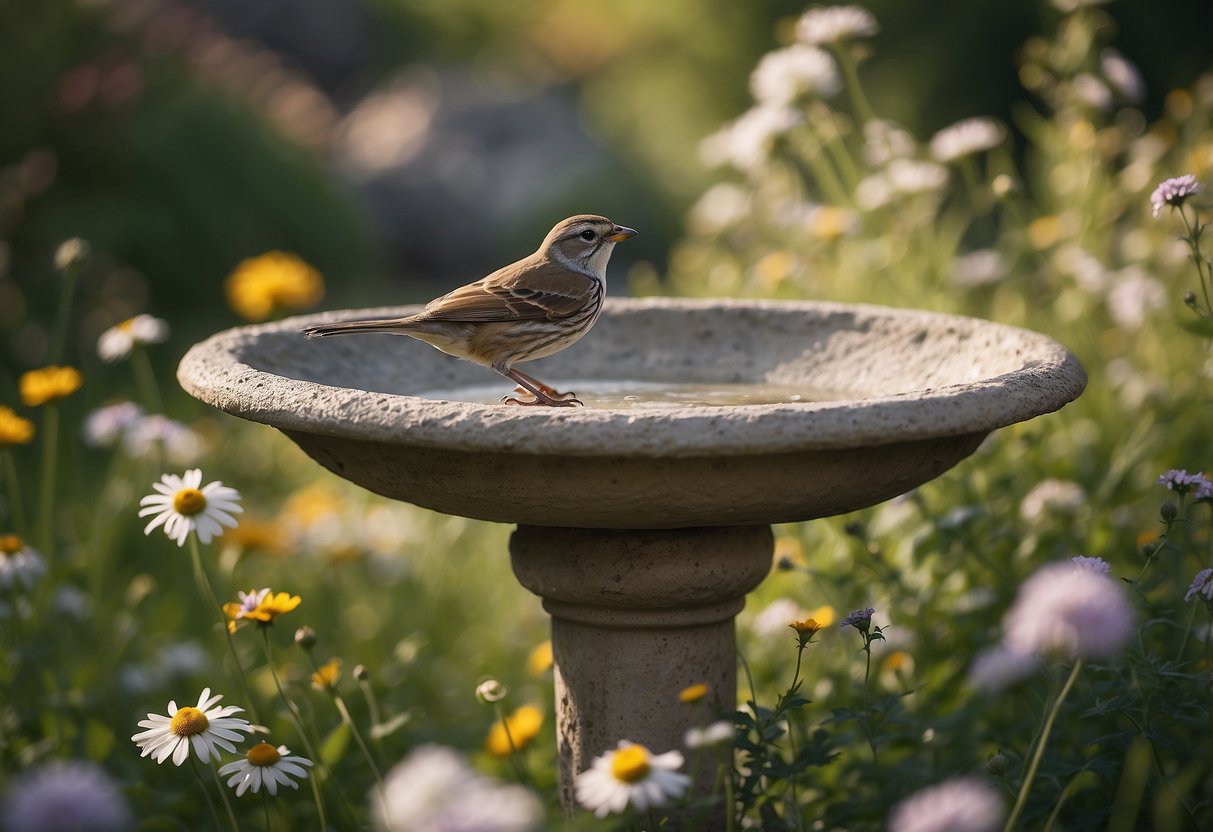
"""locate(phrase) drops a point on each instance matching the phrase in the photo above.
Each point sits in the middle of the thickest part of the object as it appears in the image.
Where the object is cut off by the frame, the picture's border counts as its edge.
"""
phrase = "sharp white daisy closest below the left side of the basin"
(181, 508)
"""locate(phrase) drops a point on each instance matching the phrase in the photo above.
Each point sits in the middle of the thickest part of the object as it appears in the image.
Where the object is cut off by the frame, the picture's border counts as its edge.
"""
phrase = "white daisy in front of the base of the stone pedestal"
(630, 774)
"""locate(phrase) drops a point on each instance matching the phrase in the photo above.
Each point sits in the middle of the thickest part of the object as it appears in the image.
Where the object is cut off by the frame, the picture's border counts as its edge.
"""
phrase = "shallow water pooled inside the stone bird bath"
(623, 395)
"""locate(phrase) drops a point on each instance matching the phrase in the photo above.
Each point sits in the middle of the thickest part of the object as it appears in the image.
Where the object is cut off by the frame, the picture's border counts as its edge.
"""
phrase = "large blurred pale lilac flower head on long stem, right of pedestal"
(1074, 613)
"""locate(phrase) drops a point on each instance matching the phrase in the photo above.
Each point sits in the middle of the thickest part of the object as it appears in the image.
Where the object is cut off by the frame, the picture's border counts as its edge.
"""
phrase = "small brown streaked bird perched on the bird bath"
(528, 310)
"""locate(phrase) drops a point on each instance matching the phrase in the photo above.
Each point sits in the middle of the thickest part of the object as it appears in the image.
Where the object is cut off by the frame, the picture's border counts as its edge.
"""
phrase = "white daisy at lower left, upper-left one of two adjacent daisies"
(204, 727)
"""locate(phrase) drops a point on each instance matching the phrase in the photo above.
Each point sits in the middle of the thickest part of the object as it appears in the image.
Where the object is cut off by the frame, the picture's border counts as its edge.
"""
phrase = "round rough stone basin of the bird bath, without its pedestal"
(919, 394)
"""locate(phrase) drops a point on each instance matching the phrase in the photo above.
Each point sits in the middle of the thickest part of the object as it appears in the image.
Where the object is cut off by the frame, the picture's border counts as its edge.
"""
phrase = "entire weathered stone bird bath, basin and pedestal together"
(643, 522)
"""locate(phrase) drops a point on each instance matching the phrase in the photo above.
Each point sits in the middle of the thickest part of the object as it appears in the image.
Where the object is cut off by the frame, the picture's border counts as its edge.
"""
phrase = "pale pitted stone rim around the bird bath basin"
(241, 372)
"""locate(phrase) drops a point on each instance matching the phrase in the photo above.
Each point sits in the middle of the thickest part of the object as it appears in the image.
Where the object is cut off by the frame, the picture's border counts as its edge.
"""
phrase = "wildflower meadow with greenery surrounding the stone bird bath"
(201, 629)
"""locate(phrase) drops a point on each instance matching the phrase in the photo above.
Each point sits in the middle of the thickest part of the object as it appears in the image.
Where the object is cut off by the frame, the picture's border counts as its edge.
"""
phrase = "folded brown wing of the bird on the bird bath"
(548, 290)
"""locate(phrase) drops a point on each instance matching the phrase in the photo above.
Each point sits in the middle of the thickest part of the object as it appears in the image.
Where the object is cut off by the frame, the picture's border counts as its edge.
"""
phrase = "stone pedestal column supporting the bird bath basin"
(637, 617)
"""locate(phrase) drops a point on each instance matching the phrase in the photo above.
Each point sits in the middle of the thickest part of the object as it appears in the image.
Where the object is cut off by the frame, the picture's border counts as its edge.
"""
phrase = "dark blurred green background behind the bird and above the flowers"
(405, 147)
